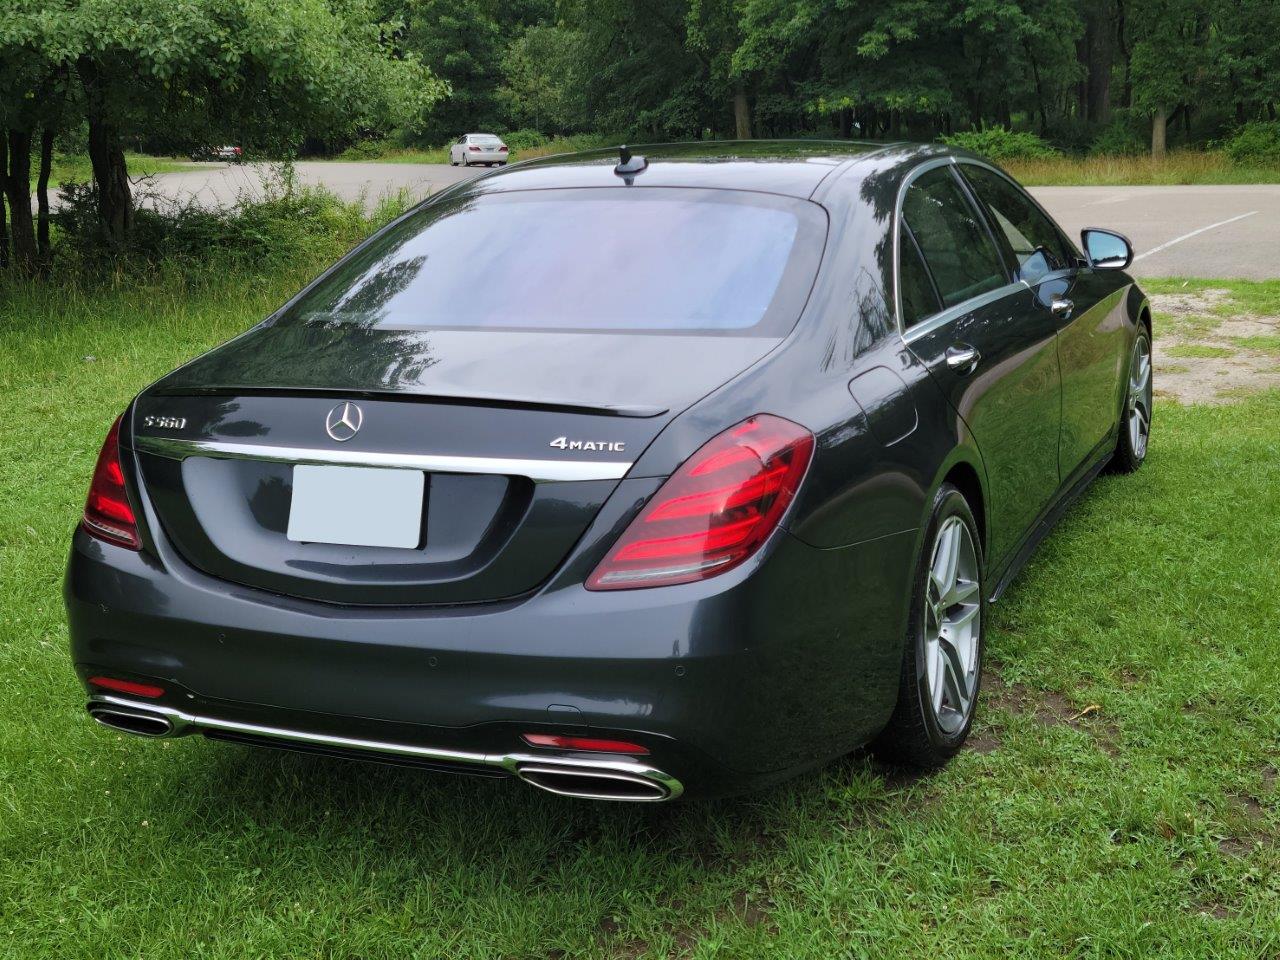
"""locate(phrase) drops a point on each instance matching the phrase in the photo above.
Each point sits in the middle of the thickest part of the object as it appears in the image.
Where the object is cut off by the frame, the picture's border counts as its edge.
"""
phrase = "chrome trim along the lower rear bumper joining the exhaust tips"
(607, 766)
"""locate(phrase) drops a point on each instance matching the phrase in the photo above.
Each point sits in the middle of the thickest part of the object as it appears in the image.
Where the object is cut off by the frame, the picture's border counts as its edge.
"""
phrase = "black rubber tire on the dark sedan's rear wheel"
(916, 735)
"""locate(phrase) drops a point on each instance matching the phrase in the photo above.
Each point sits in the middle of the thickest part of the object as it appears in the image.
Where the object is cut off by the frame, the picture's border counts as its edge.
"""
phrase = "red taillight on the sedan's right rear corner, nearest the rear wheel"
(715, 511)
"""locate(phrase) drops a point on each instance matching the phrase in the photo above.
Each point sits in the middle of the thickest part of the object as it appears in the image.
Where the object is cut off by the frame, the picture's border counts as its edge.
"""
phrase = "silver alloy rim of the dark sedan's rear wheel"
(953, 625)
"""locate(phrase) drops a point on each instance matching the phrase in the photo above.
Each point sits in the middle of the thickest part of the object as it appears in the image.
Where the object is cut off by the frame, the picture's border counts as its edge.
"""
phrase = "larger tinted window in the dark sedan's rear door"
(957, 246)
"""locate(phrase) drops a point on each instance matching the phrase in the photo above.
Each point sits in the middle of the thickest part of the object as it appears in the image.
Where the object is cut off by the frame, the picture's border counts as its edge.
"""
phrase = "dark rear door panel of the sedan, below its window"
(1012, 404)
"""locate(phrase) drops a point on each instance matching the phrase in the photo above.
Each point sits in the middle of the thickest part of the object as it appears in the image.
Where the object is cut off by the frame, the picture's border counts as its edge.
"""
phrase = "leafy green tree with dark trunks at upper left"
(259, 72)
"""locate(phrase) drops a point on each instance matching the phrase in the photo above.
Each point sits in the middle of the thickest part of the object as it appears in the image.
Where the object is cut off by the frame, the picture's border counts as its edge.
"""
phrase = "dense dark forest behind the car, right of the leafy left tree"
(1117, 75)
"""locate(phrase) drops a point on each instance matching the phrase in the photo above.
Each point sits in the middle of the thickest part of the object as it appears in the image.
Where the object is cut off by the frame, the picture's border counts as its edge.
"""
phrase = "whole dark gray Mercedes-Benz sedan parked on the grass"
(629, 474)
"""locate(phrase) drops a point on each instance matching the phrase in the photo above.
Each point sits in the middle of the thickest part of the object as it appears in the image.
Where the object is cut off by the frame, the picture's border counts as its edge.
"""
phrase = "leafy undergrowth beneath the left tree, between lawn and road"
(286, 225)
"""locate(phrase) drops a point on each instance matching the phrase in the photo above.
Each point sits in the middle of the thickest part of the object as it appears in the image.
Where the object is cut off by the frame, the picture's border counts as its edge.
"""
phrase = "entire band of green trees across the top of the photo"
(289, 77)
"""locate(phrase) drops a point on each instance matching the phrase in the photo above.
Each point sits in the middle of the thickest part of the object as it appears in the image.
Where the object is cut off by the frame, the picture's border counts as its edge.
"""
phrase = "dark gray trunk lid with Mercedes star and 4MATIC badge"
(518, 452)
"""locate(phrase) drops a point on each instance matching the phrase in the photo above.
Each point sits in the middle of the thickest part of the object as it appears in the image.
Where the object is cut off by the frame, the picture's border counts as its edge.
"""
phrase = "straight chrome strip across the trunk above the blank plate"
(538, 470)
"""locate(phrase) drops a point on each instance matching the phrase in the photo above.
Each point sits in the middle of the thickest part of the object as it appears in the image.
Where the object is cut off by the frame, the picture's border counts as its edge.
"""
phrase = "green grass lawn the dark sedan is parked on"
(1119, 799)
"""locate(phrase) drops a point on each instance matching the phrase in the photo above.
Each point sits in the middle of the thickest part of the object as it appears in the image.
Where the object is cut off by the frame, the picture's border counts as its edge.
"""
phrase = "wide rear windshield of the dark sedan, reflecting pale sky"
(604, 260)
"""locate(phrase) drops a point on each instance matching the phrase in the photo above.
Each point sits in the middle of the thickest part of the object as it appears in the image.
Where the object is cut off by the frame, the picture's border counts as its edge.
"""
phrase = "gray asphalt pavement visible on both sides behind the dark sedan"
(1231, 231)
